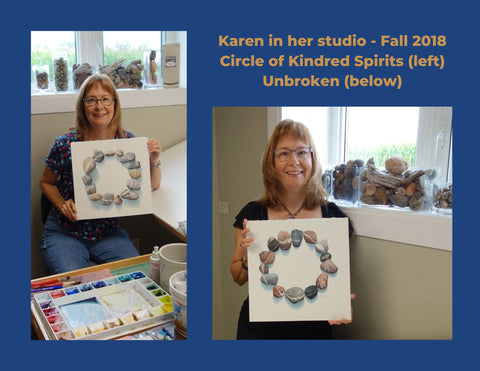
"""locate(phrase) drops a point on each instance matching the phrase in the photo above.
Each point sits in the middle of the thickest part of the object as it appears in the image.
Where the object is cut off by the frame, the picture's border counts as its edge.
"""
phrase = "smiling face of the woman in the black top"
(294, 173)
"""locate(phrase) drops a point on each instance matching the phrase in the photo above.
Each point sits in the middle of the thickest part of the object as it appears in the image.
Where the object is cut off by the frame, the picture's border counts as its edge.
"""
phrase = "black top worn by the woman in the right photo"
(282, 330)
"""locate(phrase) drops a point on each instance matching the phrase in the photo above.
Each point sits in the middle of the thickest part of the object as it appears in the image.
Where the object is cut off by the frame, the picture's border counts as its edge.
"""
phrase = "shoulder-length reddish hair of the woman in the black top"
(315, 194)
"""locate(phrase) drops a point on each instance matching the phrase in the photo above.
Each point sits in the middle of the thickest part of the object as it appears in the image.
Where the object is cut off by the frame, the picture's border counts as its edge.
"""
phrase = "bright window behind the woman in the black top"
(421, 135)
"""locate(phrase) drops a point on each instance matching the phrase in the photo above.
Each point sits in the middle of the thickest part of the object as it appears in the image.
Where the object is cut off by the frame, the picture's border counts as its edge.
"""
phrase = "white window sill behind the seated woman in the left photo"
(130, 98)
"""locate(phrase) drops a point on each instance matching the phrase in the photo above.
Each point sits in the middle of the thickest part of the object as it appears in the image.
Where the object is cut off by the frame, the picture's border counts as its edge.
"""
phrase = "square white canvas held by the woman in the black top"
(299, 266)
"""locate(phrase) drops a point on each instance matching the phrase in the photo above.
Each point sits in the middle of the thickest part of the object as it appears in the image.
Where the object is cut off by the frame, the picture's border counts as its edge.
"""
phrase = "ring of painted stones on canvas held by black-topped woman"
(284, 241)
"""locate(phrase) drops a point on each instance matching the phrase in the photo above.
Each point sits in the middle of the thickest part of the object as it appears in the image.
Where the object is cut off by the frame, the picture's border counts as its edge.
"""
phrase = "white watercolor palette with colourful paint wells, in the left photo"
(103, 309)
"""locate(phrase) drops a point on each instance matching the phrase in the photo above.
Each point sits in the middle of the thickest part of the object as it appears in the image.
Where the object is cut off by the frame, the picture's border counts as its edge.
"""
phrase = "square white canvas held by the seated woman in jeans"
(111, 178)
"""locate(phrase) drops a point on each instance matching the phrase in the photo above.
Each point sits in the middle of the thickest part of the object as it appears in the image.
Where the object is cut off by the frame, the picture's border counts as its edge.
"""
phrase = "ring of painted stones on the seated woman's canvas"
(132, 184)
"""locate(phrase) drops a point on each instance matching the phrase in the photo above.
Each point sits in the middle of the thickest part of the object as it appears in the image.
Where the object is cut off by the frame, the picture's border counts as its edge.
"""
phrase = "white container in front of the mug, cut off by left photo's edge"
(178, 290)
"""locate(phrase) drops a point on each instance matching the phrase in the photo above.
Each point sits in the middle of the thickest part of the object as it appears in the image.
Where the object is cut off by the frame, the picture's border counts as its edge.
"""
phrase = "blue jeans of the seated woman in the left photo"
(63, 252)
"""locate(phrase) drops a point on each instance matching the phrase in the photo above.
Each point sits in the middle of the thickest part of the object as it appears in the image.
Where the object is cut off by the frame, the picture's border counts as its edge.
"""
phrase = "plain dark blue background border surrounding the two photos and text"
(209, 85)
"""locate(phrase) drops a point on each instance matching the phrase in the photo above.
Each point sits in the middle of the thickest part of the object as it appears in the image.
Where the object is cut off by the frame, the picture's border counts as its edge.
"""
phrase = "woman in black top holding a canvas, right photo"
(293, 189)
